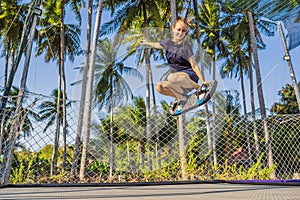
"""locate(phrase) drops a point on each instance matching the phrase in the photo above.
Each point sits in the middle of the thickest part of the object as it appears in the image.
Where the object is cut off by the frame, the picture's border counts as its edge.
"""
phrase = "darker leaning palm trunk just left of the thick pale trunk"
(83, 90)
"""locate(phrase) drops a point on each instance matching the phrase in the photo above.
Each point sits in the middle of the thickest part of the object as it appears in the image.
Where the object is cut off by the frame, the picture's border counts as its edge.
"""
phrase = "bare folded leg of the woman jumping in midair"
(176, 84)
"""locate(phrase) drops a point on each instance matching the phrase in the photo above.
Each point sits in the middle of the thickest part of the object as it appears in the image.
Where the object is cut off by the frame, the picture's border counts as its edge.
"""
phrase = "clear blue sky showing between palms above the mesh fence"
(42, 77)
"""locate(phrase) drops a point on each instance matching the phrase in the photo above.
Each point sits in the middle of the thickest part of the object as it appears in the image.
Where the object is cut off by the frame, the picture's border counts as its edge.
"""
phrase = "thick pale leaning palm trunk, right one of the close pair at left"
(88, 105)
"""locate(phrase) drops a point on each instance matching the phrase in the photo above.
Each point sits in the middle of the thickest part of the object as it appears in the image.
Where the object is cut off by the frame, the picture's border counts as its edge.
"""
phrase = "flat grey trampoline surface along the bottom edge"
(198, 191)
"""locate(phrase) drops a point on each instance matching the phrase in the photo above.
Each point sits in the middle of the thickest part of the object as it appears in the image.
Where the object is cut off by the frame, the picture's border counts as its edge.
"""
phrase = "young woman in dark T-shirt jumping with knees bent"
(185, 73)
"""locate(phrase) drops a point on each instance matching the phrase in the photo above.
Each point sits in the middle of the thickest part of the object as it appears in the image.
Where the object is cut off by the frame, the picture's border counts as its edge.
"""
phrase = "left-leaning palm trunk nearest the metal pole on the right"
(260, 94)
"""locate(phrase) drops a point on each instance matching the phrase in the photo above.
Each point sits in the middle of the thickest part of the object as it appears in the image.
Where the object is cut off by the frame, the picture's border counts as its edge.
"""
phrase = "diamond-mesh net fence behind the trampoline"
(199, 146)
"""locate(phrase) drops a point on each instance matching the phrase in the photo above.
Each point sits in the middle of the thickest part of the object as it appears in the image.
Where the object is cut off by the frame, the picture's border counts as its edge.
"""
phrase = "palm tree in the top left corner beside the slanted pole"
(14, 38)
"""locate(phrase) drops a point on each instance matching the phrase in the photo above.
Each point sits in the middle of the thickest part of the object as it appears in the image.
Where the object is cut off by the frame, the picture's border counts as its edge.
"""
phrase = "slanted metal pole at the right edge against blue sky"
(287, 57)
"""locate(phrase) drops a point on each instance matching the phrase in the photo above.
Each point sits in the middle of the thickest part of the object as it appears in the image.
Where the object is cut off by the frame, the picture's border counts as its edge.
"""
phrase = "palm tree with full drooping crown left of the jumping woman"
(110, 86)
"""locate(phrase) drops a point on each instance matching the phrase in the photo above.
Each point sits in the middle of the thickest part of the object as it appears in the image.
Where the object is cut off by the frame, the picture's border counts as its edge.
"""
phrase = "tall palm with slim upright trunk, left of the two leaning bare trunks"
(56, 39)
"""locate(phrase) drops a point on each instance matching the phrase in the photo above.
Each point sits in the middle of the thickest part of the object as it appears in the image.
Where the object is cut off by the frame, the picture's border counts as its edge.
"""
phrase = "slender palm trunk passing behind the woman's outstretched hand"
(148, 112)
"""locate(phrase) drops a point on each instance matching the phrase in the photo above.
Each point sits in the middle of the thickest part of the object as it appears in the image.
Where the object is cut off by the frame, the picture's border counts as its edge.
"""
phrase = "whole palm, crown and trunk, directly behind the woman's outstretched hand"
(129, 15)
